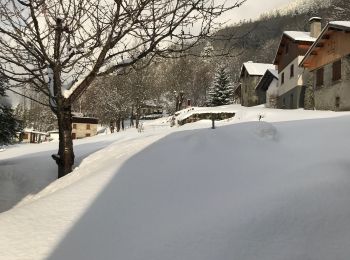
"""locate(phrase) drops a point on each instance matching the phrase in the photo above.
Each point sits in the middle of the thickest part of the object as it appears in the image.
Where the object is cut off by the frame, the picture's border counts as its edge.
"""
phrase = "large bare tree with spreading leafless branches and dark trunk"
(60, 46)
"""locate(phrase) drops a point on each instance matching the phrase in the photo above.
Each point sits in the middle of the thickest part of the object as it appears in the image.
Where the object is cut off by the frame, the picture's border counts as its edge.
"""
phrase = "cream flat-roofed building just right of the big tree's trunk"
(83, 126)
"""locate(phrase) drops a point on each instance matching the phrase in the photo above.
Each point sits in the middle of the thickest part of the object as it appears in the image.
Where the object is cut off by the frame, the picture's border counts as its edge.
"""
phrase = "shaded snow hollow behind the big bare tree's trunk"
(29, 174)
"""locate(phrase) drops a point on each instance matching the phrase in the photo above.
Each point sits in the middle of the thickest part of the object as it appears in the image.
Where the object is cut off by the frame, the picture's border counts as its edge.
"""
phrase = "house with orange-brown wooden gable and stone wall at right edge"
(328, 60)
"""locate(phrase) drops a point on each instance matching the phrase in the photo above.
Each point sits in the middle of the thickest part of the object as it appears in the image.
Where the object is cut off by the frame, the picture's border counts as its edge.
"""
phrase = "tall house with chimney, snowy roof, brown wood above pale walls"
(292, 48)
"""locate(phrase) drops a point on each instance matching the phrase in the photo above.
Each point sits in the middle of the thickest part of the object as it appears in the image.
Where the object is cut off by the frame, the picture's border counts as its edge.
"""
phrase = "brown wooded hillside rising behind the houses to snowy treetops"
(193, 73)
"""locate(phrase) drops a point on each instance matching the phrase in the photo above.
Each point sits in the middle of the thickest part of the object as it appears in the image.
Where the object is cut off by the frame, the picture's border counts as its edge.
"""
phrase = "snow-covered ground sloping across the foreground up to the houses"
(275, 189)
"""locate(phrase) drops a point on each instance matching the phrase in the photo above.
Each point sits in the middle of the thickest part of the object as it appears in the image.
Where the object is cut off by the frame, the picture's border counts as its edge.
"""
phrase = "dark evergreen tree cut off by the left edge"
(9, 125)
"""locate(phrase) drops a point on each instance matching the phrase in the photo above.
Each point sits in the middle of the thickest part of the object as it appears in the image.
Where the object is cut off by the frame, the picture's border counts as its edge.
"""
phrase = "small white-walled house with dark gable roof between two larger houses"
(267, 88)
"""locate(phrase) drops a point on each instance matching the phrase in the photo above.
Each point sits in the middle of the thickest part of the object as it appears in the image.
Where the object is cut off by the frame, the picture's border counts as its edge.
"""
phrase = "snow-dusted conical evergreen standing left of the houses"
(221, 91)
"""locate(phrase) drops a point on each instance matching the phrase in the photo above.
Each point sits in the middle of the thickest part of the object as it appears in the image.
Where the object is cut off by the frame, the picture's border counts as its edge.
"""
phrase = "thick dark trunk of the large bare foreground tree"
(65, 157)
